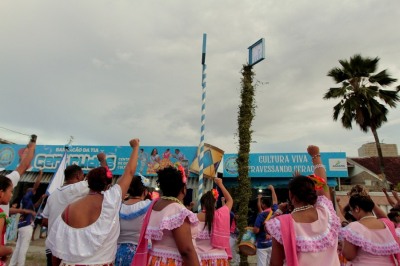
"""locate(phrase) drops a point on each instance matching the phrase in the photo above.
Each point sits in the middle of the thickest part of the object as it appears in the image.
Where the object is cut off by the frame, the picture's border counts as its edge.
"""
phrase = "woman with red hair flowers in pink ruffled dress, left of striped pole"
(169, 225)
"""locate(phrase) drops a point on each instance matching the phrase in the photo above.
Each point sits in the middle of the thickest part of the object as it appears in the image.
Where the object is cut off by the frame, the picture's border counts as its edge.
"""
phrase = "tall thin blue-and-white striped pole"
(203, 118)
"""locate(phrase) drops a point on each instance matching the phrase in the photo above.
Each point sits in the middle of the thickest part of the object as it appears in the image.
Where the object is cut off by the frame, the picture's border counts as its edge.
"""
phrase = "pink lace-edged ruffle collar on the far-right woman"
(378, 242)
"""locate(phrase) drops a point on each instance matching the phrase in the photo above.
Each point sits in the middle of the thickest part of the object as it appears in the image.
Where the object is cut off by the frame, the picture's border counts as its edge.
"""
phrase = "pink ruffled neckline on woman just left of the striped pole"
(174, 216)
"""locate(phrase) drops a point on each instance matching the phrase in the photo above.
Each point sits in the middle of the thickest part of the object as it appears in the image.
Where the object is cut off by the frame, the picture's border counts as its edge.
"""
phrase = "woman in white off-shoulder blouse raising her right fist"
(87, 231)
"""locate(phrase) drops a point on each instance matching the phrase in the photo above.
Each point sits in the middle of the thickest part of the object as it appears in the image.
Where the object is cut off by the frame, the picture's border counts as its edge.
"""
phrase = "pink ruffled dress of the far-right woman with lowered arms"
(376, 246)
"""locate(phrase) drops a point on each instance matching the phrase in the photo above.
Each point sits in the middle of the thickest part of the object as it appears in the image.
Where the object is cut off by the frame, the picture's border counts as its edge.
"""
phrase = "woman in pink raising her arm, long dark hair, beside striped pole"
(210, 253)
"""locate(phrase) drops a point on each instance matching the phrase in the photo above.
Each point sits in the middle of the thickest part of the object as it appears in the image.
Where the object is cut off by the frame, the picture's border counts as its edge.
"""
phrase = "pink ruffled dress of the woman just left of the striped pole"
(159, 230)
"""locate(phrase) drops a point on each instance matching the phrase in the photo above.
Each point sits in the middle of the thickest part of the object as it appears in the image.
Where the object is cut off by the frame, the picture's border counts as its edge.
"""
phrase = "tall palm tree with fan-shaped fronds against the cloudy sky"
(363, 97)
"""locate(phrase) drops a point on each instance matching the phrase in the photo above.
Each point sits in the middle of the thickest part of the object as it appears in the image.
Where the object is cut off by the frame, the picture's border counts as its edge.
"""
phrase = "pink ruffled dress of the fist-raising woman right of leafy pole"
(316, 242)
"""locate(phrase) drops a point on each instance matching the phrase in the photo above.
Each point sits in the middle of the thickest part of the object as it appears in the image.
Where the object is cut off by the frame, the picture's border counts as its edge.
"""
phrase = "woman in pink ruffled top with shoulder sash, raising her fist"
(309, 235)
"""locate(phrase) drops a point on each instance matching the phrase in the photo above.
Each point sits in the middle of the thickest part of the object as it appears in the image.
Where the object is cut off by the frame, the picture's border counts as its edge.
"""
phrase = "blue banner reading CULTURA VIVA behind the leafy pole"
(285, 164)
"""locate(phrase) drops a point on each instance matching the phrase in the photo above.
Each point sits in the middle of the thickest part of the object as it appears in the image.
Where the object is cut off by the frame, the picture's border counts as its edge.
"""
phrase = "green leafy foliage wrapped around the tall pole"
(246, 114)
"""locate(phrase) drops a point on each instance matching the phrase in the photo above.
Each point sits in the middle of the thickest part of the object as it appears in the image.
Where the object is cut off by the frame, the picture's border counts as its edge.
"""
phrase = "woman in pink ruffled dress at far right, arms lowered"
(369, 241)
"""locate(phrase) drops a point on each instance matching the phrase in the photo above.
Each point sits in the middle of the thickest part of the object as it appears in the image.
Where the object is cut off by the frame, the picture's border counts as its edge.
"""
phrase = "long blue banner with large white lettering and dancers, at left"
(48, 157)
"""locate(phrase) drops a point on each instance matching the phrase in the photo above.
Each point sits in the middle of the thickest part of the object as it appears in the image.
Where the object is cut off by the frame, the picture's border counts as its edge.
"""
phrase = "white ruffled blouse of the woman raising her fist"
(77, 244)
